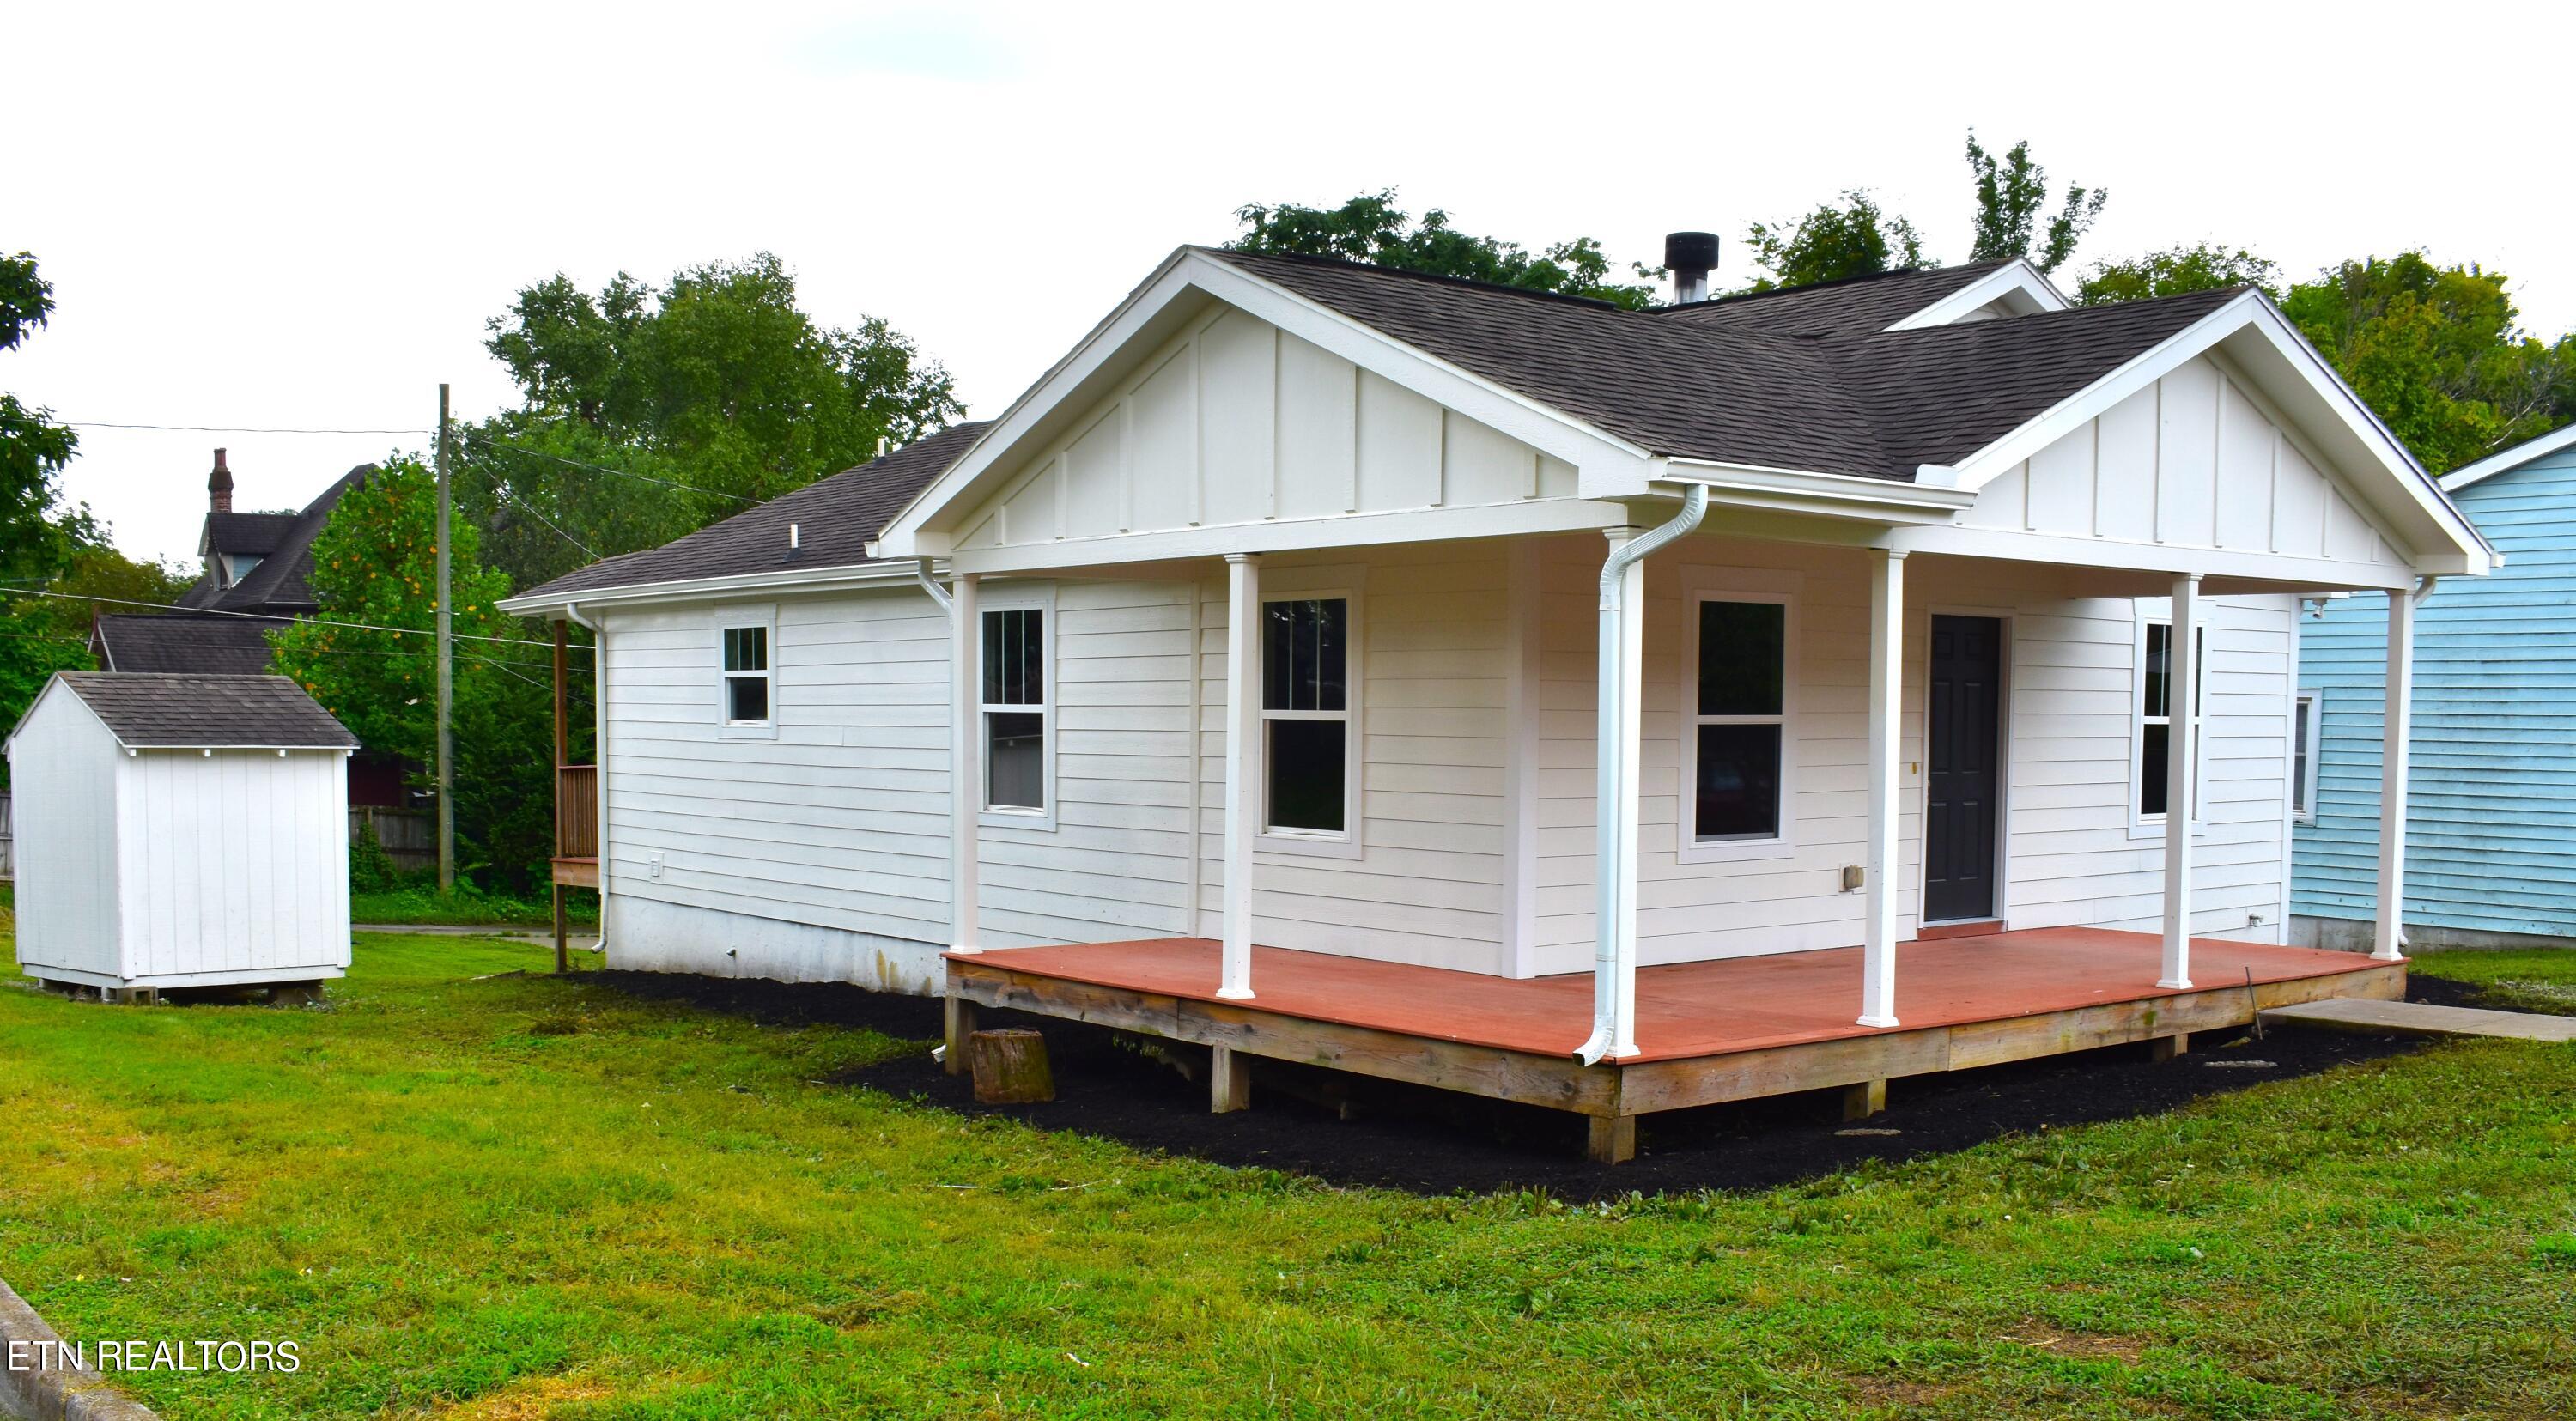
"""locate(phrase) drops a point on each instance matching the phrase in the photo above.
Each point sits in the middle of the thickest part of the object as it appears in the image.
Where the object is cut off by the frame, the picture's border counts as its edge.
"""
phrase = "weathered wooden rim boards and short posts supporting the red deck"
(1614, 1095)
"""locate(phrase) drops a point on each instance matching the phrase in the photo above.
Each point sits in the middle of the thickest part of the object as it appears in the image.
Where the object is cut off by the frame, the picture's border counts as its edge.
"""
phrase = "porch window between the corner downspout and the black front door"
(1740, 722)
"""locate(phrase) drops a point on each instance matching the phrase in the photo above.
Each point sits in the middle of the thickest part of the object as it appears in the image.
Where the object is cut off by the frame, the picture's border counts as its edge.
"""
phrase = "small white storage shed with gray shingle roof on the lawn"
(182, 830)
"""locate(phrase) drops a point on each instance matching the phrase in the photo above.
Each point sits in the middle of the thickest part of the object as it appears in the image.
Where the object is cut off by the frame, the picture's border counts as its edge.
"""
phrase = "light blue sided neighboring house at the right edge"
(2492, 789)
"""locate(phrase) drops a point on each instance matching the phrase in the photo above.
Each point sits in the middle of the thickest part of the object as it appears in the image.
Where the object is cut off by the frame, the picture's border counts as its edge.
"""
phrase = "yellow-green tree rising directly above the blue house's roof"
(2438, 354)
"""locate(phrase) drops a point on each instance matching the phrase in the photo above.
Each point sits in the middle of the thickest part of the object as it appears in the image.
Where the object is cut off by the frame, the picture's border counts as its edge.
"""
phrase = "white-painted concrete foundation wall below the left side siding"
(645, 936)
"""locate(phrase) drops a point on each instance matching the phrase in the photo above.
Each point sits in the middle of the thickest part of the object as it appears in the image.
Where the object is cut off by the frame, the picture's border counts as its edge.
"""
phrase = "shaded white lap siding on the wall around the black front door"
(2075, 856)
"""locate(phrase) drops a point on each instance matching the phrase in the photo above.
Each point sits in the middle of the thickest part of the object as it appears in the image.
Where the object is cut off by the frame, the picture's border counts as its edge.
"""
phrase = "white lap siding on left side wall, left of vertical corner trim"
(844, 817)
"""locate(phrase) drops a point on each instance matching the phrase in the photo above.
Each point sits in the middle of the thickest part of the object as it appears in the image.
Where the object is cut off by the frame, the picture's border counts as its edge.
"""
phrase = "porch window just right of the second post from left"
(1307, 714)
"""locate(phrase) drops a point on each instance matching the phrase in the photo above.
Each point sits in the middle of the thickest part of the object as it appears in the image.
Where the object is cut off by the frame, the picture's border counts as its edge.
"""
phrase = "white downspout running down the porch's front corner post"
(1614, 956)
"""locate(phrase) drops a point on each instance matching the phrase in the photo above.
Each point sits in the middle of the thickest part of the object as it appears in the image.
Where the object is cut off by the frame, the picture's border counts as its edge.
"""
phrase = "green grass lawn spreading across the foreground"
(509, 1196)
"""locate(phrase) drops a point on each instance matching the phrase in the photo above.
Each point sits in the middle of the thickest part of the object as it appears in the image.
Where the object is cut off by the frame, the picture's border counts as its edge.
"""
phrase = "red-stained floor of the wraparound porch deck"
(1689, 1008)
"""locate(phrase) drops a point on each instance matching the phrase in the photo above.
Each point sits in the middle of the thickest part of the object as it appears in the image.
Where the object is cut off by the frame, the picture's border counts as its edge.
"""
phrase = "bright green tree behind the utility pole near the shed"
(377, 565)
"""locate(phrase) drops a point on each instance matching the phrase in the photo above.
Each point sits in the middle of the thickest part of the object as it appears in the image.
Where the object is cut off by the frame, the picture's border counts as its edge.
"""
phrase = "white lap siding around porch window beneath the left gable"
(1428, 882)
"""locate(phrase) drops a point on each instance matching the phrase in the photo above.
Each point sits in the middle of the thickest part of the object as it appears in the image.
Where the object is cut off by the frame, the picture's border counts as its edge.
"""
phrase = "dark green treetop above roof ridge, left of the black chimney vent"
(1374, 230)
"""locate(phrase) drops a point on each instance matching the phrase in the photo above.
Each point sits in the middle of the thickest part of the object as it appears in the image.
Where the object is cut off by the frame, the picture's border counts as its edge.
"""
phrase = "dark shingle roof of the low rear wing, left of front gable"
(833, 519)
